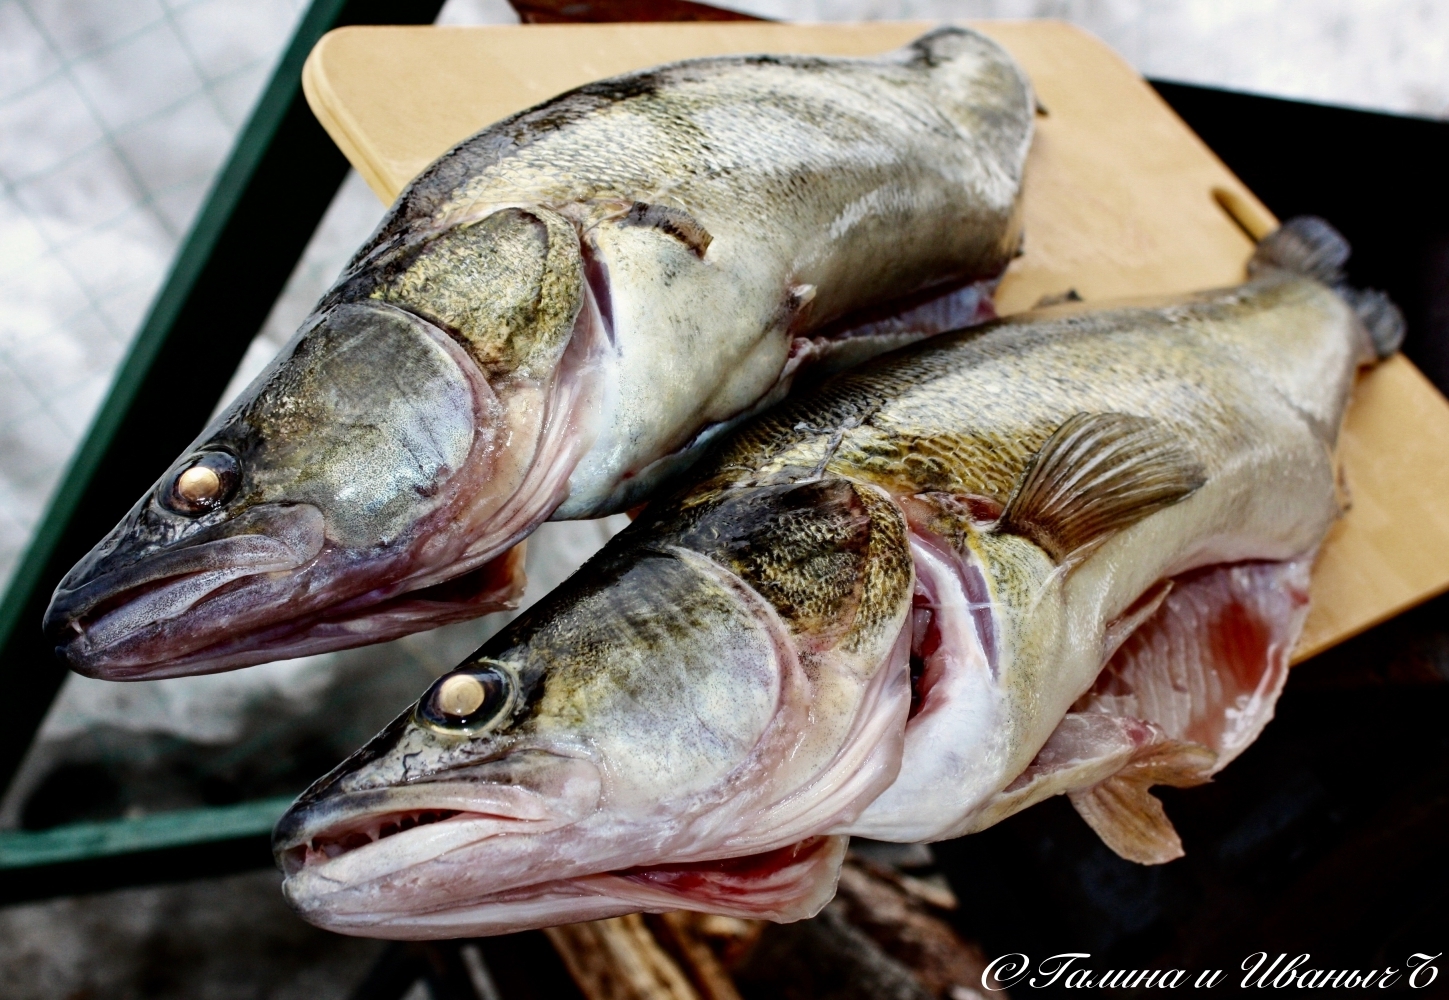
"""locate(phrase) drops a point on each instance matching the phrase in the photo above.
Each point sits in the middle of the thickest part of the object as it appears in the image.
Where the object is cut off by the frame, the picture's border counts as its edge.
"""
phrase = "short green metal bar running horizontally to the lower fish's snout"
(117, 837)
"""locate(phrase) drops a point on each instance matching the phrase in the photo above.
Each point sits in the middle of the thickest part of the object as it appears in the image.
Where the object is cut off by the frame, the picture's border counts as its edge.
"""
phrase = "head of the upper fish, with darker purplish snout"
(375, 478)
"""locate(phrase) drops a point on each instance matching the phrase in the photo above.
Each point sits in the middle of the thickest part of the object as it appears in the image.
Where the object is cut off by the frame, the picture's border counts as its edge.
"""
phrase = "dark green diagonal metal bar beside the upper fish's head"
(228, 272)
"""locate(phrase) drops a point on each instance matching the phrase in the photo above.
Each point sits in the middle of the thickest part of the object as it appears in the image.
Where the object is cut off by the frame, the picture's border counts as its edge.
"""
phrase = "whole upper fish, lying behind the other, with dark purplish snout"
(556, 317)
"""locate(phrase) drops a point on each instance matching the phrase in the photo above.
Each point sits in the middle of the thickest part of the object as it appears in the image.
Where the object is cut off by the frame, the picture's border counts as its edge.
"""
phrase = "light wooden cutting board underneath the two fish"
(1122, 199)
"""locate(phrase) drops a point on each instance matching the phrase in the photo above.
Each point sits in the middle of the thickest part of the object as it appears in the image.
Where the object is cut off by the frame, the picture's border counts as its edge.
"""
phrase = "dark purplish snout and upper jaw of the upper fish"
(108, 608)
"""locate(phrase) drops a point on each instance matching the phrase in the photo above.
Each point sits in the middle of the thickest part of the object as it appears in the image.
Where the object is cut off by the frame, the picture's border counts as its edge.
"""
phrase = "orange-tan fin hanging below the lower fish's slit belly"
(1125, 814)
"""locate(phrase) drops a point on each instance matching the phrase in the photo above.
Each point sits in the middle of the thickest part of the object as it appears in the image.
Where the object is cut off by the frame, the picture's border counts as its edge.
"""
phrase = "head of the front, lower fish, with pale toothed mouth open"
(660, 734)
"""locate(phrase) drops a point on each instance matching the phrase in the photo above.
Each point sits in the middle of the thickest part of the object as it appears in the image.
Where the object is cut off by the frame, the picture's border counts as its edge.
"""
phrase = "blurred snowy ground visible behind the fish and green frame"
(115, 120)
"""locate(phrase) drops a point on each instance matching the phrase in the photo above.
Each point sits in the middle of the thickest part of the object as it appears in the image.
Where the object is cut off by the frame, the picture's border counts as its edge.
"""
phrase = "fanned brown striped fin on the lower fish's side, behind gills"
(1098, 475)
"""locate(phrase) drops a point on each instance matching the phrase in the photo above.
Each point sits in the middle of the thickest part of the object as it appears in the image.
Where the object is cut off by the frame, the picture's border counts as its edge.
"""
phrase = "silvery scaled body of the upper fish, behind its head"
(845, 185)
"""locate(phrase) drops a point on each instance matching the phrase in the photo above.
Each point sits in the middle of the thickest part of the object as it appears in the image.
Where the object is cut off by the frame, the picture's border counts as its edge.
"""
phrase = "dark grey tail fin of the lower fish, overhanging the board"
(1311, 247)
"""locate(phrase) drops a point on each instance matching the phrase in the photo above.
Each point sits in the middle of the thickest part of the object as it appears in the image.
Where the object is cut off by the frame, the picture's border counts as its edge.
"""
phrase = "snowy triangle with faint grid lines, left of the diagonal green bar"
(114, 121)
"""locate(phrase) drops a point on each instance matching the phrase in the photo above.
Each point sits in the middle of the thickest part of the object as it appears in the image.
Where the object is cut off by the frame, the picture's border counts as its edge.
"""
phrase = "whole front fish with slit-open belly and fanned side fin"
(1061, 554)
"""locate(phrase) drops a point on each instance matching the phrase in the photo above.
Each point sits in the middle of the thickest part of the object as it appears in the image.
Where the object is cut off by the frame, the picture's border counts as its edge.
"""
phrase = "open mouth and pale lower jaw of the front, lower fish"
(411, 902)
